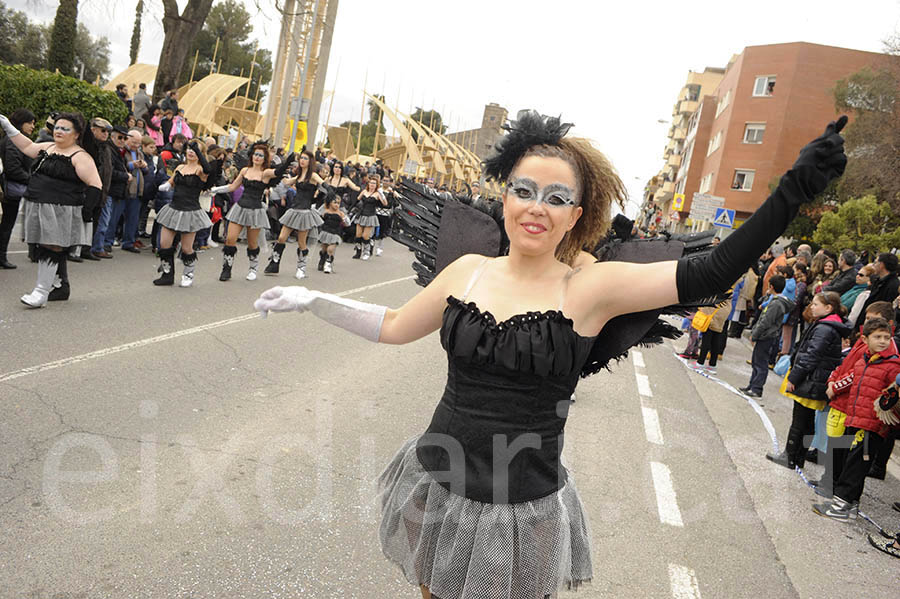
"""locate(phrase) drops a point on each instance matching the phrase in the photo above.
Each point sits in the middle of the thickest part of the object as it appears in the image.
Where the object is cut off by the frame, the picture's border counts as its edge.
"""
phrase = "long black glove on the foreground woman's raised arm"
(819, 162)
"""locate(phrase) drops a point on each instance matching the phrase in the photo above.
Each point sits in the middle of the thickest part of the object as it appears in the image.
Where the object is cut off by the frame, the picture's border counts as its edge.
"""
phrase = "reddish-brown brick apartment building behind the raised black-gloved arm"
(770, 102)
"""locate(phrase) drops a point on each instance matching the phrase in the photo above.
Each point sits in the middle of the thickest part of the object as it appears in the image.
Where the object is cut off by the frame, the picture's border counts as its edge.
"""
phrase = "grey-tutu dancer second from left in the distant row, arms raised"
(249, 212)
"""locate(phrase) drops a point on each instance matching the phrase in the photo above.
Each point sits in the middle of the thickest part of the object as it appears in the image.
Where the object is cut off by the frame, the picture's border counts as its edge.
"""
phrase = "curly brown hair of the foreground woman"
(599, 186)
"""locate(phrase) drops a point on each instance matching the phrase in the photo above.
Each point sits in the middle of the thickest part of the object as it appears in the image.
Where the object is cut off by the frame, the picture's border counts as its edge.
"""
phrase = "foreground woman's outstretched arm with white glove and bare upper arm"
(418, 317)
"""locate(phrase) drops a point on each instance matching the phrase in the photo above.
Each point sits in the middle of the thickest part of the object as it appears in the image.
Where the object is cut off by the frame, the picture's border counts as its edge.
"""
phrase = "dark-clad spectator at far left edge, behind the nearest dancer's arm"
(16, 171)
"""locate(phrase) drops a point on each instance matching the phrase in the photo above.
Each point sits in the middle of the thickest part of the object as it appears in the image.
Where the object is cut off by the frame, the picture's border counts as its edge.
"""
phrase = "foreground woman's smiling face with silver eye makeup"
(540, 204)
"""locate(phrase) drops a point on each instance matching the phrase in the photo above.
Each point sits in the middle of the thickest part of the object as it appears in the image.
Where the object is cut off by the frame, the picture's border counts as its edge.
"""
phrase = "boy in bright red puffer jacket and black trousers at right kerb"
(872, 373)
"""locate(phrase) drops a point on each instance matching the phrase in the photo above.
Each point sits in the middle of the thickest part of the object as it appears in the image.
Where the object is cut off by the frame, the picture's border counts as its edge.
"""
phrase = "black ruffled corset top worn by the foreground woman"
(509, 385)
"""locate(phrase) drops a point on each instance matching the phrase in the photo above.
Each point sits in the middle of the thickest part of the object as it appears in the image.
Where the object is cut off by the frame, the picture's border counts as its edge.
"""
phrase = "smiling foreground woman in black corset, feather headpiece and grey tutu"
(480, 505)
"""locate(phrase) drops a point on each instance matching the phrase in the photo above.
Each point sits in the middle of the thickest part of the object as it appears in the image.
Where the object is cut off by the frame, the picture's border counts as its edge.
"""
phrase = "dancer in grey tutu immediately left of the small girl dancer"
(300, 217)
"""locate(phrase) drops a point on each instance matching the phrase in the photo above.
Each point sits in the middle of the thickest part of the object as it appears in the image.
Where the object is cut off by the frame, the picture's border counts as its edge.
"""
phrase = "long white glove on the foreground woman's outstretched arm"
(357, 317)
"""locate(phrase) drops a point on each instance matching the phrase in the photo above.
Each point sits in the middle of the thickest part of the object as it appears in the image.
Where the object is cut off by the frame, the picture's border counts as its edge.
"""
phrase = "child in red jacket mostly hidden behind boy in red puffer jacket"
(839, 387)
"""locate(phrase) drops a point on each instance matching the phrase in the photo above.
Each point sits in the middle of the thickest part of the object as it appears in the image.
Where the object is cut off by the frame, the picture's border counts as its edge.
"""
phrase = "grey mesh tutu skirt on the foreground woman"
(464, 549)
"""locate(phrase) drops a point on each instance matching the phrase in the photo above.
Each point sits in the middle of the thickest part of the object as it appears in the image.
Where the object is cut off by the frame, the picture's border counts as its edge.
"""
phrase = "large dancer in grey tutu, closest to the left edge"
(62, 193)
